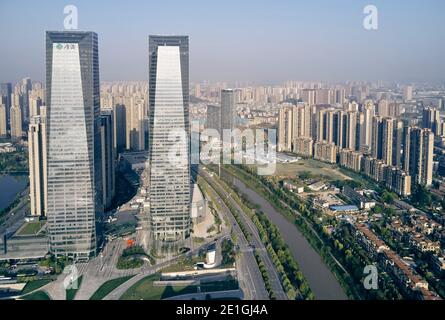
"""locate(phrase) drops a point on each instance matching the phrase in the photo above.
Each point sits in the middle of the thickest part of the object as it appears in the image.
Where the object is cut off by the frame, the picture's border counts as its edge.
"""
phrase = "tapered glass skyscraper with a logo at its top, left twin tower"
(74, 192)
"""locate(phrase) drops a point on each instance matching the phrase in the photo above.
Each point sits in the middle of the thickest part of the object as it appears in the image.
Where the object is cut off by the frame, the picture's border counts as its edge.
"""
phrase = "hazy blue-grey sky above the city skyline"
(261, 41)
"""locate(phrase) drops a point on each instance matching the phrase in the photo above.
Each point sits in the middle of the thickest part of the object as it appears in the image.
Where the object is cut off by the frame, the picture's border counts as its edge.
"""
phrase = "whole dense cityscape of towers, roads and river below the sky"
(92, 206)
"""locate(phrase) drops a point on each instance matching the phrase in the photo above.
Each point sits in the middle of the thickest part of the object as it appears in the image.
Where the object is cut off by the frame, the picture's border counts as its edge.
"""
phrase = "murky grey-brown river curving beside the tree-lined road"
(323, 283)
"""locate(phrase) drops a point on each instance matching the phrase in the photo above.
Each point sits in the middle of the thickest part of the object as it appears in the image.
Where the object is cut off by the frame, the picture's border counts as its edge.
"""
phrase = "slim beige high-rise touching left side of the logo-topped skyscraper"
(37, 165)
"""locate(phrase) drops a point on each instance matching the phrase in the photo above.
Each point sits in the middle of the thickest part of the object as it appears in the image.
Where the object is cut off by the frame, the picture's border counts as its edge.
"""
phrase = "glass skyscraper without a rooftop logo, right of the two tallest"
(170, 193)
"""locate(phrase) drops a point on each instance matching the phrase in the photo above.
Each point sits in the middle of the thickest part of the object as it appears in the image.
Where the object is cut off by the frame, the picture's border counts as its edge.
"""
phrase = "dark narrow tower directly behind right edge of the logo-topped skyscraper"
(108, 156)
